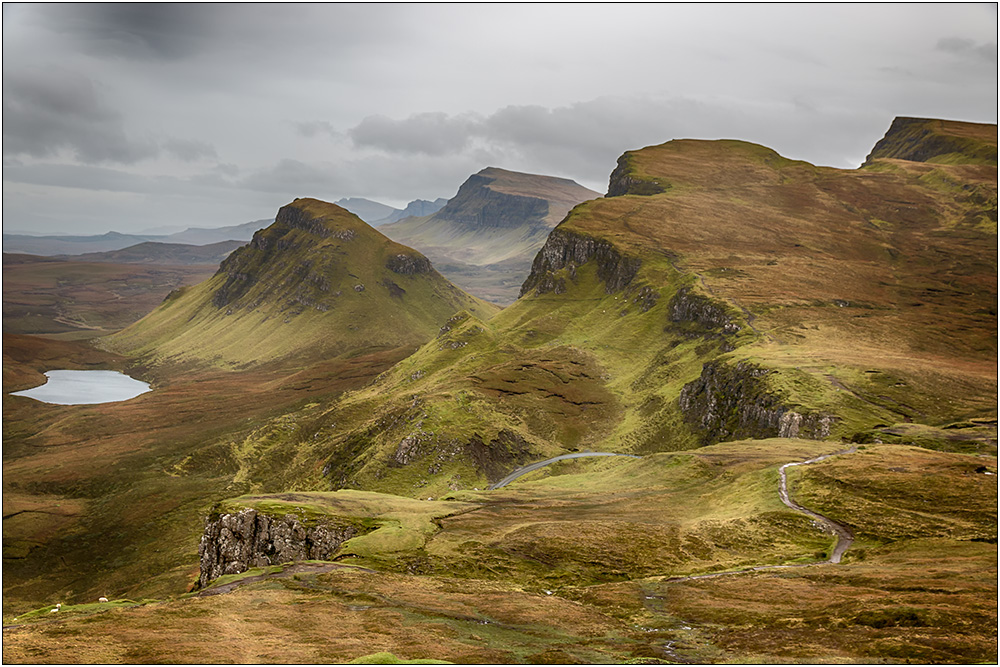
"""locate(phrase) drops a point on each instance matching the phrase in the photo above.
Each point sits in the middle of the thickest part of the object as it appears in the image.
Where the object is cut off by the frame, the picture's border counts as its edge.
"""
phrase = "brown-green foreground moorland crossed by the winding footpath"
(510, 577)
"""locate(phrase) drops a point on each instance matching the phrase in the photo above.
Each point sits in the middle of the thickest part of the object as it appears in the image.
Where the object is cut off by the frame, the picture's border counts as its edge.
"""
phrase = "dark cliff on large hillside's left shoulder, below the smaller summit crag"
(569, 249)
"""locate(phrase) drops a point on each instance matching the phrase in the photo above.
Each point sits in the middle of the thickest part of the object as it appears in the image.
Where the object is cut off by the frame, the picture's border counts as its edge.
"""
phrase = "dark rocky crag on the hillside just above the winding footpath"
(734, 402)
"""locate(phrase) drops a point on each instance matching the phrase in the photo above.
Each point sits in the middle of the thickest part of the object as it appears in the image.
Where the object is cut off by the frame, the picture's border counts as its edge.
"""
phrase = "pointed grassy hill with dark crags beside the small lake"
(318, 282)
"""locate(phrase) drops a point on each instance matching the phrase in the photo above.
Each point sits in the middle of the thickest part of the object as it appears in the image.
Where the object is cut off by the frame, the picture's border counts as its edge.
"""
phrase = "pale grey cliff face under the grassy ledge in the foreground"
(234, 543)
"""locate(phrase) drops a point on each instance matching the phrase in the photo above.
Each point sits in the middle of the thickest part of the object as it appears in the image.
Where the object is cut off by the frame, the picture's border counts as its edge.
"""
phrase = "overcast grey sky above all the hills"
(129, 117)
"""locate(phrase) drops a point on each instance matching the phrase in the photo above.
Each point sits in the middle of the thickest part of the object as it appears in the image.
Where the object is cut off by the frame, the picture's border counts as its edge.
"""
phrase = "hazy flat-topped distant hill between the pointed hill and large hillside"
(484, 238)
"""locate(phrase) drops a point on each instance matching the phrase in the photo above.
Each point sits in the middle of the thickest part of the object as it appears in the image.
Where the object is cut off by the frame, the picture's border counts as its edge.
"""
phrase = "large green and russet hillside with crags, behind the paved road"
(754, 297)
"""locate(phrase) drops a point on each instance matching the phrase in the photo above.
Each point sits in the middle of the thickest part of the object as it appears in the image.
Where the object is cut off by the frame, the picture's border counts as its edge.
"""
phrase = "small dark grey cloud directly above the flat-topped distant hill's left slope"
(433, 133)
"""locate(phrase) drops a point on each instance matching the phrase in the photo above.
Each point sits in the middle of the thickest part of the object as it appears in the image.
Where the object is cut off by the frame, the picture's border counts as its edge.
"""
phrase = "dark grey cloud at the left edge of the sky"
(47, 110)
